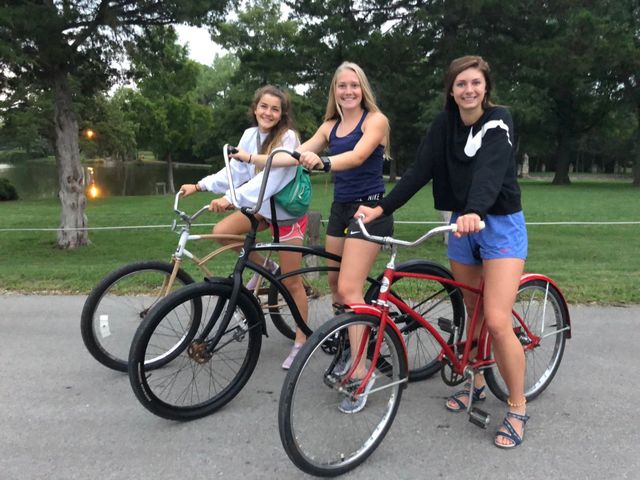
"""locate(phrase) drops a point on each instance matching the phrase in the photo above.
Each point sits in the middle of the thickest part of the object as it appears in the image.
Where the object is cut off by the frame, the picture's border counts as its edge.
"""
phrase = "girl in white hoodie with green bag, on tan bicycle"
(273, 128)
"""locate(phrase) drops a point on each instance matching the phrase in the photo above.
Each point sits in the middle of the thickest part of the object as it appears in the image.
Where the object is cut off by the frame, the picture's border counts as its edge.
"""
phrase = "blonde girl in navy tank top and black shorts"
(356, 133)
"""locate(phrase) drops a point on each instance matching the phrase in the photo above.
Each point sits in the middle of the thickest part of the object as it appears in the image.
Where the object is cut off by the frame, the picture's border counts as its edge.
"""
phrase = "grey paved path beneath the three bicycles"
(64, 416)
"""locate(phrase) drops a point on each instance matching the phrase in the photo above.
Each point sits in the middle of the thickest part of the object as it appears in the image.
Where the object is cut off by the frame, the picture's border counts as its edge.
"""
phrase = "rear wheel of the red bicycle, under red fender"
(542, 309)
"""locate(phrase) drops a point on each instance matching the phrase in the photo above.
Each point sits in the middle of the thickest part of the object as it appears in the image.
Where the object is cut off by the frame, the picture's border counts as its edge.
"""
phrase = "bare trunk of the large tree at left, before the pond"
(73, 221)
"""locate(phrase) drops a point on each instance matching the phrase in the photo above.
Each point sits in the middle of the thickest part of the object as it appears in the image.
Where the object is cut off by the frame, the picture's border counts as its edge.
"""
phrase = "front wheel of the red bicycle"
(318, 437)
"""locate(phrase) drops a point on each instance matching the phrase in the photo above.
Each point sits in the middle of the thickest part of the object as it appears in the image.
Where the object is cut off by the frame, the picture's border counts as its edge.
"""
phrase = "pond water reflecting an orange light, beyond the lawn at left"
(38, 180)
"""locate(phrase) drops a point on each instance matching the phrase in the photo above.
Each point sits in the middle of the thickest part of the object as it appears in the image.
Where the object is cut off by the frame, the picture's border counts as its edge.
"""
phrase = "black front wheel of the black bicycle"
(195, 382)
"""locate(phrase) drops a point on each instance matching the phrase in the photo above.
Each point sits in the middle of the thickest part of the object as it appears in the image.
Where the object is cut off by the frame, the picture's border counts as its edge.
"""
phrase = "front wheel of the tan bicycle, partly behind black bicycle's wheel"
(116, 306)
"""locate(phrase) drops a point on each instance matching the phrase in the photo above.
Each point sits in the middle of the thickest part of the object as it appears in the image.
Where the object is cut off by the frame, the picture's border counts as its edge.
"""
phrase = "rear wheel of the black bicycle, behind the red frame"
(434, 301)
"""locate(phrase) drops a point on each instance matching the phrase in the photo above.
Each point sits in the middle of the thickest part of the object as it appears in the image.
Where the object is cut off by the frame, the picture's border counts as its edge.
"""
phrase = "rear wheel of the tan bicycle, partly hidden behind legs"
(316, 285)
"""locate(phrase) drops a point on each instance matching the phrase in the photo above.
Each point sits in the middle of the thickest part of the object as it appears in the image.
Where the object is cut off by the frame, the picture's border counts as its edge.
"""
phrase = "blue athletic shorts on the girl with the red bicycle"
(504, 236)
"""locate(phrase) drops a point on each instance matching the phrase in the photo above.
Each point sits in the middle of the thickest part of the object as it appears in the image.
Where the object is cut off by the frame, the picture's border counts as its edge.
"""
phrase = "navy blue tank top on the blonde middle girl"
(361, 182)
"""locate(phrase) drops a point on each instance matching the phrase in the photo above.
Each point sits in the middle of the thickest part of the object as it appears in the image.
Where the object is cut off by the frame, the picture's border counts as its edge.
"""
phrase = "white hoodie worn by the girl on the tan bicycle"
(245, 180)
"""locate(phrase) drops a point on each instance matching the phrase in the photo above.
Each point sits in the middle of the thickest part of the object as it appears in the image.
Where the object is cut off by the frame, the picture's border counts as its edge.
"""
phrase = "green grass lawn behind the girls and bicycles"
(591, 263)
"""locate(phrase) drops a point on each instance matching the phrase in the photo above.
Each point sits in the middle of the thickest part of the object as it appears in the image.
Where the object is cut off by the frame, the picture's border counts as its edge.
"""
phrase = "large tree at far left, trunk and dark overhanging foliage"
(67, 49)
